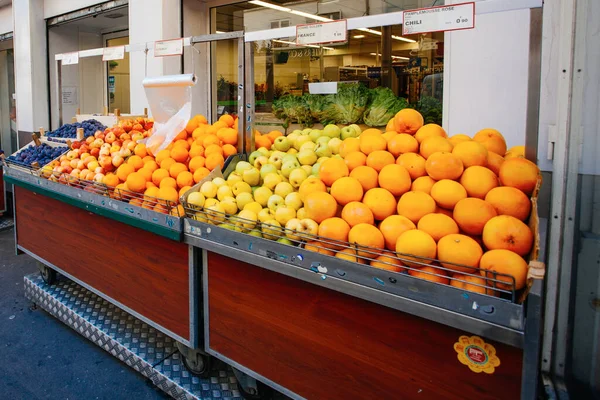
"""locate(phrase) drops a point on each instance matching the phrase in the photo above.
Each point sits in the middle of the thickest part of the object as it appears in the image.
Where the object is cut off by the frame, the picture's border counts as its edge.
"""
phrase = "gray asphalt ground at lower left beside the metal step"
(41, 358)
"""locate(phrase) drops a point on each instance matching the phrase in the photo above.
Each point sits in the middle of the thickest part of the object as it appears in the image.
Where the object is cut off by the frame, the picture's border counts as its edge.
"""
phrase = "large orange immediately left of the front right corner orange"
(459, 253)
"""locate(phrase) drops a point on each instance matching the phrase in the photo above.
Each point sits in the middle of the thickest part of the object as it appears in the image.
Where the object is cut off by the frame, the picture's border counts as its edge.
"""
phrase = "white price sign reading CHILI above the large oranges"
(439, 19)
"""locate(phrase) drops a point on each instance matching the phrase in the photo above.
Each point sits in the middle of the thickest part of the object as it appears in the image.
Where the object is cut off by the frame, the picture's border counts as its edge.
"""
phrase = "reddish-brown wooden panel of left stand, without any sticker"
(143, 271)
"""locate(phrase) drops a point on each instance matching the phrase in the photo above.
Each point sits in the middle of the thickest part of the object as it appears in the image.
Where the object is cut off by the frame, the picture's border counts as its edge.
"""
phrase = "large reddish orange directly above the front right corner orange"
(508, 233)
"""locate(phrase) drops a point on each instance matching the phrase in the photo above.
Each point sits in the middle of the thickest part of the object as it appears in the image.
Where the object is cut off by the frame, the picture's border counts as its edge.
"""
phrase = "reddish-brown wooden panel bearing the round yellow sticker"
(322, 344)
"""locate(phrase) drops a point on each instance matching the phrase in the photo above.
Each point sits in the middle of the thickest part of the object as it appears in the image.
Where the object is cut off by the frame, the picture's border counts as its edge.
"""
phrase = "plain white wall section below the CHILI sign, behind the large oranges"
(485, 76)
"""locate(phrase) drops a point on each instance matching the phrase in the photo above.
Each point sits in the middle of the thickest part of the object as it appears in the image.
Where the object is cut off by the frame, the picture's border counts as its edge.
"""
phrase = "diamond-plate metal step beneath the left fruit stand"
(125, 337)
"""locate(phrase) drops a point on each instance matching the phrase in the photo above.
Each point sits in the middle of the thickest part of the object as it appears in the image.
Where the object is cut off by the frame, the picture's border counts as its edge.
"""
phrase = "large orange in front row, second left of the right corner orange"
(416, 243)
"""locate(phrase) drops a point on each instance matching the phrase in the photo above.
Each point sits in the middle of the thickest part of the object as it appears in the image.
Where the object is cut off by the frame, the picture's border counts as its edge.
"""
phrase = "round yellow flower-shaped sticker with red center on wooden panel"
(476, 354)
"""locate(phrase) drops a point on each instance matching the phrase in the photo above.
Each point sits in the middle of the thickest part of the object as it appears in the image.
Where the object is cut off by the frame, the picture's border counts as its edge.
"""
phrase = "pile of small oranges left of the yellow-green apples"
(158, 181)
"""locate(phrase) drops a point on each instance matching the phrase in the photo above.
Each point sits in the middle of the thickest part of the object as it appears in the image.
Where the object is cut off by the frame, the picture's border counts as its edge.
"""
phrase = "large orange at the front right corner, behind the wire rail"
(504, 262)
